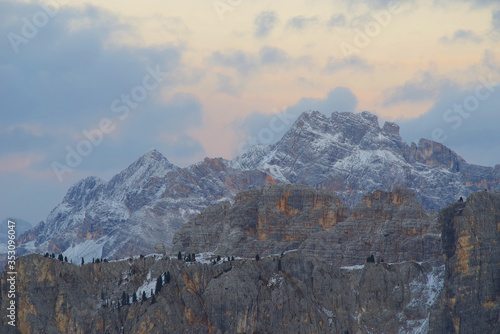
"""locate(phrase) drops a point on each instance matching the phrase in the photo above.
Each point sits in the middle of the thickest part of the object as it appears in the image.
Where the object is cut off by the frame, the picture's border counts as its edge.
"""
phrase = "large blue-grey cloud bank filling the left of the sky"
(67, 78)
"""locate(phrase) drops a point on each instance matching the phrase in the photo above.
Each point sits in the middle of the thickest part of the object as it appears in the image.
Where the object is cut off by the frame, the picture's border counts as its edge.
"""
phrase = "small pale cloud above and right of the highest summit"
(425, 86)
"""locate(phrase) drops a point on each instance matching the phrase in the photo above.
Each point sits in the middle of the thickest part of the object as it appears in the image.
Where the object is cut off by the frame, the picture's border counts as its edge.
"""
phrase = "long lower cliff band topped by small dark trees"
(289, 294)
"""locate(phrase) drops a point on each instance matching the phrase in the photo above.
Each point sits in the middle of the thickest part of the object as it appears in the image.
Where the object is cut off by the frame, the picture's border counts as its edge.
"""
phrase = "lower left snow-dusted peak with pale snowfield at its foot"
(139, 207)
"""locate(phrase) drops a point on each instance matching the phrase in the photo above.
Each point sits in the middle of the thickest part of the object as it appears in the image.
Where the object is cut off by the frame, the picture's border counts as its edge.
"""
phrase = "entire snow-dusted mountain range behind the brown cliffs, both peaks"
(347, 153)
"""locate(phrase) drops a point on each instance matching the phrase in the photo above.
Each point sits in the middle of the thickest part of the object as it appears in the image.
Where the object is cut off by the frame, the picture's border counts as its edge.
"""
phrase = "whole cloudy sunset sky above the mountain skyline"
(87, 87)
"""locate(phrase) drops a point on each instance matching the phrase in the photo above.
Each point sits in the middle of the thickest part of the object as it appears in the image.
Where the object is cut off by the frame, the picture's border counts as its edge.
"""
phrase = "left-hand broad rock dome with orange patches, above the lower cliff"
(268, 220)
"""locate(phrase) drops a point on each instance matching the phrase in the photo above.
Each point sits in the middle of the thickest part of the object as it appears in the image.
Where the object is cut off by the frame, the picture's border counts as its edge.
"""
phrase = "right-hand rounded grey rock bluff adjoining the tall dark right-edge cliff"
(392, 226)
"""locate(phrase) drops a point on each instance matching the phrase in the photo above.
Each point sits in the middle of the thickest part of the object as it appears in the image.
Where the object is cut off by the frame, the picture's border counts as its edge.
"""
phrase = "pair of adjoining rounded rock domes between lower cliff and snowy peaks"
(390, 225)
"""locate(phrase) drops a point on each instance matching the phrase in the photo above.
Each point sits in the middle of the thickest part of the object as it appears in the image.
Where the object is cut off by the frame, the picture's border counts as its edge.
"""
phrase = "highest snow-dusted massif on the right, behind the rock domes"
(351, 154)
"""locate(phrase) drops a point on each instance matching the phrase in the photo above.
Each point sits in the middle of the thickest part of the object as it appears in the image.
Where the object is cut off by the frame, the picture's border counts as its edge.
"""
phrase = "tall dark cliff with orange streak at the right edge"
(471, 248)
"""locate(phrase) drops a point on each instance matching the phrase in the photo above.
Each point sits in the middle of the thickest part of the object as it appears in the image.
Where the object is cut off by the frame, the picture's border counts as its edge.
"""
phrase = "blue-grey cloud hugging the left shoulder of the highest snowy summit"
(338, 99)
